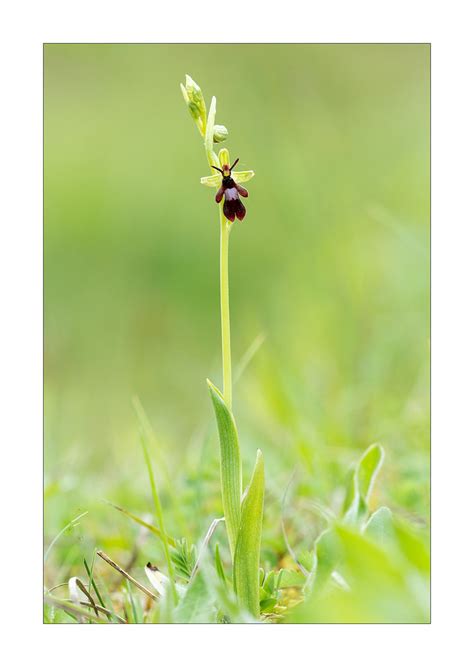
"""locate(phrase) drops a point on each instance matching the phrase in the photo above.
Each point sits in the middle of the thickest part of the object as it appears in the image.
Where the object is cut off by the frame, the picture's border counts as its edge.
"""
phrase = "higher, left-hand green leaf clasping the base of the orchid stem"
(231, 466)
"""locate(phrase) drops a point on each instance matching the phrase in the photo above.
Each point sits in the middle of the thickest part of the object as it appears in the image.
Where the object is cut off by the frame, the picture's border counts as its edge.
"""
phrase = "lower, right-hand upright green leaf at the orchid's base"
(247, 550)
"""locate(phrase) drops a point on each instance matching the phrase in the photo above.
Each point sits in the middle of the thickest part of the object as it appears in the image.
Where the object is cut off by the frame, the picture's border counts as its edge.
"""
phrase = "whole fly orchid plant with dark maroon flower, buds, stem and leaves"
(243, 513)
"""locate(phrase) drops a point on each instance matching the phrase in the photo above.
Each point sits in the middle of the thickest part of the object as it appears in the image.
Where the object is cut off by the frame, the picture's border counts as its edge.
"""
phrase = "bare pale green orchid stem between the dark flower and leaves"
(225, 310)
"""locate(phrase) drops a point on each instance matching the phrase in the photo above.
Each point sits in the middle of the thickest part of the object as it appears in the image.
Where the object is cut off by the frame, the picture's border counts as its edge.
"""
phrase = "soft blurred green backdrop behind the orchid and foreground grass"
(331, 265)
